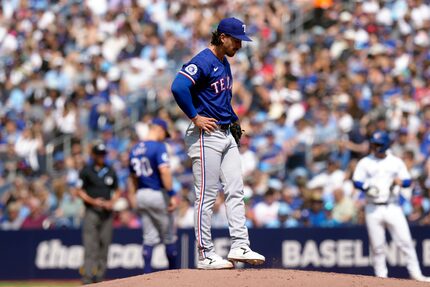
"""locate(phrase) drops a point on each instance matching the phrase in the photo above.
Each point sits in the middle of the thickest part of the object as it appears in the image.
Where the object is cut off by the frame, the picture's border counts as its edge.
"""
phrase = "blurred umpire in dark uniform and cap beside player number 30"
(98, 189)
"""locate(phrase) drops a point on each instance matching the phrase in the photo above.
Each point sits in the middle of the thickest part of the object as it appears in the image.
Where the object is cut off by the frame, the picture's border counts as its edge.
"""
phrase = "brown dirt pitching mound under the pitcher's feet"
(255, 278)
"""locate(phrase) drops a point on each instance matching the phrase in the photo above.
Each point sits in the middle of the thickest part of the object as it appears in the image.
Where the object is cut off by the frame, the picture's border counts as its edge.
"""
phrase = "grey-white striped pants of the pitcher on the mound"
(216, 159)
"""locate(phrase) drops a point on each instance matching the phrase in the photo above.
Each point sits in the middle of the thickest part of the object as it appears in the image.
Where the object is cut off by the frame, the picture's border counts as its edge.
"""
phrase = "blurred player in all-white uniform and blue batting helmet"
(380, 175)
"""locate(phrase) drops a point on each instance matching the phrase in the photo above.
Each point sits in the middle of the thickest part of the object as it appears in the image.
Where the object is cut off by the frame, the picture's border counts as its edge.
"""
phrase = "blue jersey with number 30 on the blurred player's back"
(145, 159)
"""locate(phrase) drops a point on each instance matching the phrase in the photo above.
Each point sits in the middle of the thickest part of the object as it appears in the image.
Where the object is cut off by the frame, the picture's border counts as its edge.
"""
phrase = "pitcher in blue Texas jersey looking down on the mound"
(203, 90)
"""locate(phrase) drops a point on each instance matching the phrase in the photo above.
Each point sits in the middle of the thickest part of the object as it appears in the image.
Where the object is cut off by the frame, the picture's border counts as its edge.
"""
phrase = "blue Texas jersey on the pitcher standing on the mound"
(212, 89)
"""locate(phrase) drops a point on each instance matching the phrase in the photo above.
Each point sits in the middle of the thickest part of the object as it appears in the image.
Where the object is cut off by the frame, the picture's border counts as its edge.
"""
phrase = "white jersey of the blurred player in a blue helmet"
(380, 173)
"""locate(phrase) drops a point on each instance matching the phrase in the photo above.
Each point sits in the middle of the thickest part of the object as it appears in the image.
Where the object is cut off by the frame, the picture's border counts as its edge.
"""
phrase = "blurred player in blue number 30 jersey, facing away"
(154, 199)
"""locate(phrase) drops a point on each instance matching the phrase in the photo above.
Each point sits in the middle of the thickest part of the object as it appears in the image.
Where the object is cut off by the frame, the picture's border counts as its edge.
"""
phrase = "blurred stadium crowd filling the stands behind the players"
(84, 70)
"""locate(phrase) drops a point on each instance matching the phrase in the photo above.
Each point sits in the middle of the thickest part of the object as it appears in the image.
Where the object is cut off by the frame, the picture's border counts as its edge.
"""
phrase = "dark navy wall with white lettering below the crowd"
(55, 254)
